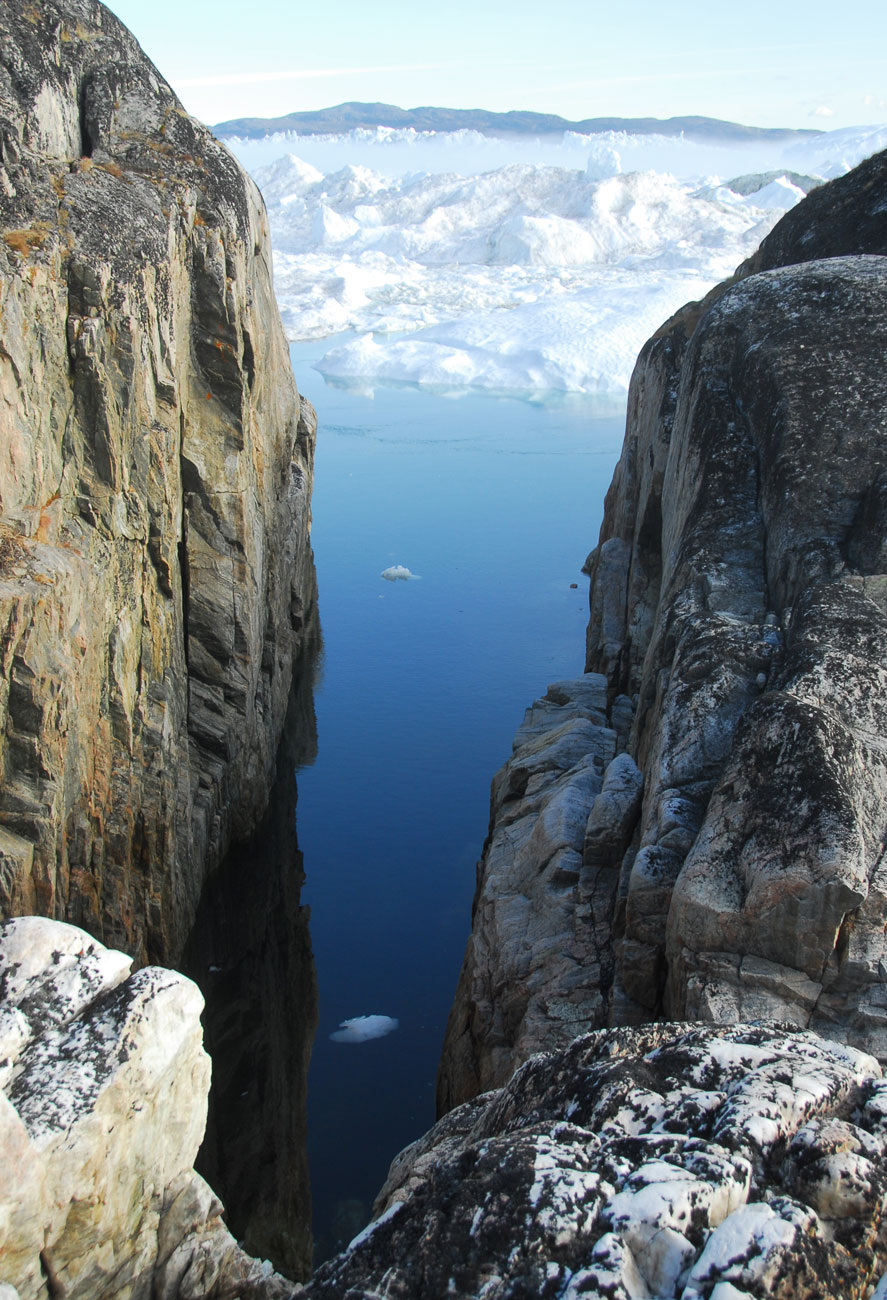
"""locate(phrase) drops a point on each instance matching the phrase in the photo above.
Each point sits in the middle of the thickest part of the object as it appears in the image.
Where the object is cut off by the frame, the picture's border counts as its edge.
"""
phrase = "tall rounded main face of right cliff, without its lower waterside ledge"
(754, 887)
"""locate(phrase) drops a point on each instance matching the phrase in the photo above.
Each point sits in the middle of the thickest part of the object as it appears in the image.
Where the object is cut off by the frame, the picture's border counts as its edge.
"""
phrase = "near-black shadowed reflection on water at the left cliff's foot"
(250, 954)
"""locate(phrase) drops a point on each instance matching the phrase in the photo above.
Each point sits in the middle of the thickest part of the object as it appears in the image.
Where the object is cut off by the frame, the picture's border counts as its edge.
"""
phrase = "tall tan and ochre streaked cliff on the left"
(155, 473)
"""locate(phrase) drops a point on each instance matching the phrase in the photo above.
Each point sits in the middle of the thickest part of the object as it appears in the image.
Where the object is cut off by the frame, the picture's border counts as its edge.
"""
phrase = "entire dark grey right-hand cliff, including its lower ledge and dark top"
(728, 864)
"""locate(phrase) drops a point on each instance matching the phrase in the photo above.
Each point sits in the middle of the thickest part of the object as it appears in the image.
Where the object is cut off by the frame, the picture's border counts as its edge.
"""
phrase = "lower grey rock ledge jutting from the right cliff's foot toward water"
(531, 976)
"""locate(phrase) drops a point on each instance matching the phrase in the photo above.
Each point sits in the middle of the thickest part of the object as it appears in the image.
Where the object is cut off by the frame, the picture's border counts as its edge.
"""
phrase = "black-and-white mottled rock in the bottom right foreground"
(695, 1163)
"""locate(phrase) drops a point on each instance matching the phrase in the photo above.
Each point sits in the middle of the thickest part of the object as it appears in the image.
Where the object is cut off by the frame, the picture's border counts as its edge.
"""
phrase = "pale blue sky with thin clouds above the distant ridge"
(768, 63)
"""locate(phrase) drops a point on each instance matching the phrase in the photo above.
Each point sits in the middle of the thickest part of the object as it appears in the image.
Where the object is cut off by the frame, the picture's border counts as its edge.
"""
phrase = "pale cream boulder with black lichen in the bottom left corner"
(103, 1108)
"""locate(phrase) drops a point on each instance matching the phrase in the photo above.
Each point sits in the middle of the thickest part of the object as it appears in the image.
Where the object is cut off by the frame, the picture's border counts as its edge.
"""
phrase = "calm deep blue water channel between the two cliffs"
(495, 502)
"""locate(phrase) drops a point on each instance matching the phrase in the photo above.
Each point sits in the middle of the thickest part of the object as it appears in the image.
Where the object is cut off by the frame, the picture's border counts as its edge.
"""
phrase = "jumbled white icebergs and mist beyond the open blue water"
(460, 261)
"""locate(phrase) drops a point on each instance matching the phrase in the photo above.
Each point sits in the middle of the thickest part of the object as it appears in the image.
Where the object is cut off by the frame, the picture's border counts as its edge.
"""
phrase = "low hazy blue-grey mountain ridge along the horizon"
(347, 118)
